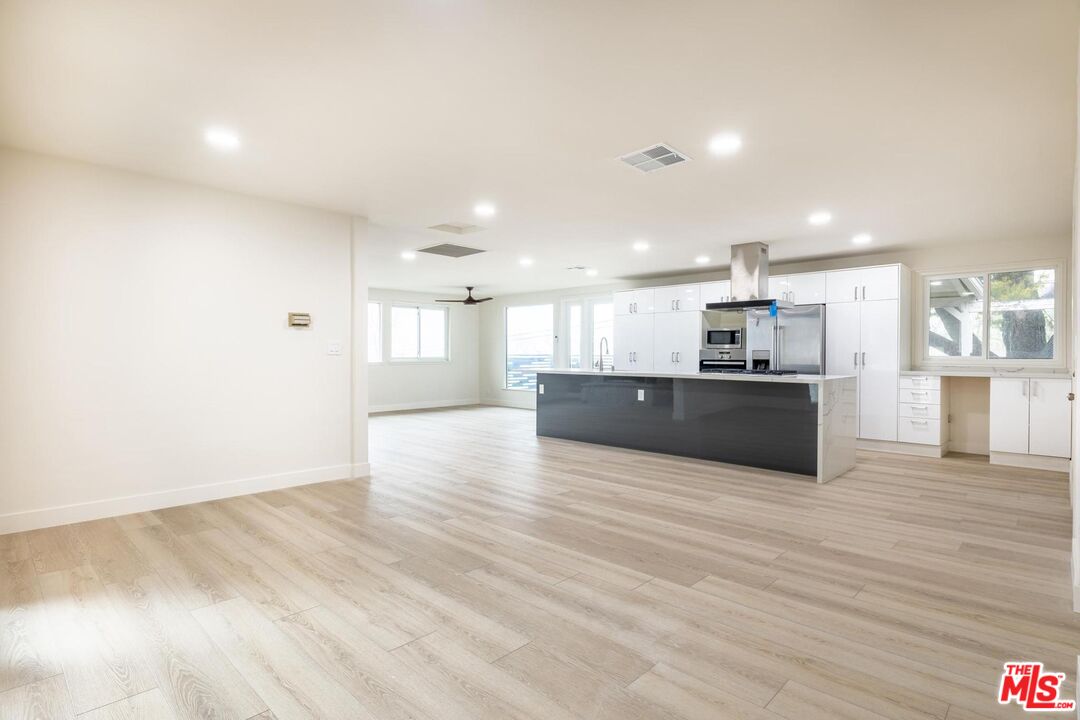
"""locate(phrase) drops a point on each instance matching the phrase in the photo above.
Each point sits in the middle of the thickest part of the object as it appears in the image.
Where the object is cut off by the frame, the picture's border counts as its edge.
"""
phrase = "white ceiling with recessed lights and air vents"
(919, 121)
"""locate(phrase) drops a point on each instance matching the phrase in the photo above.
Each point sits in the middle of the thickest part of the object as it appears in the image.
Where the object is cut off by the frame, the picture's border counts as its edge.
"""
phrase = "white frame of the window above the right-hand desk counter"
(1062, 337)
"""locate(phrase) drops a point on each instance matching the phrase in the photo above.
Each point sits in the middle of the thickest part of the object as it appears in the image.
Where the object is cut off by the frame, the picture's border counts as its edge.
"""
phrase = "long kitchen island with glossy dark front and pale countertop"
(794, 424)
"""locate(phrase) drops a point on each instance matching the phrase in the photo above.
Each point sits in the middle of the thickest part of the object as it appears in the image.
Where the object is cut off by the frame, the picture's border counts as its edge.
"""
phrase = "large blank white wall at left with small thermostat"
(147, 361)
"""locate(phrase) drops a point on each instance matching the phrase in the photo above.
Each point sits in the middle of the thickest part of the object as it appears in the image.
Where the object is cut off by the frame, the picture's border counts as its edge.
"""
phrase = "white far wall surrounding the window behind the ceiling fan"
(410, 386)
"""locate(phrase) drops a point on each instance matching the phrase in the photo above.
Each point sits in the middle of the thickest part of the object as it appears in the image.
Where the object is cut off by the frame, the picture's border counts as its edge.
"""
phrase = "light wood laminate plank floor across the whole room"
(482, 574)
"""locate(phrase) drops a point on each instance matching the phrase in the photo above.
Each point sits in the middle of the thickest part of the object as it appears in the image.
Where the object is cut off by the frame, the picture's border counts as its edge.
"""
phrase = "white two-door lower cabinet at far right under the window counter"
(1031, 416)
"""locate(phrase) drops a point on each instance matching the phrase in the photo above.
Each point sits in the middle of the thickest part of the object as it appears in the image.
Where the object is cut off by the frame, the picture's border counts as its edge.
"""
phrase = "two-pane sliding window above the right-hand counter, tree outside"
(992, 317)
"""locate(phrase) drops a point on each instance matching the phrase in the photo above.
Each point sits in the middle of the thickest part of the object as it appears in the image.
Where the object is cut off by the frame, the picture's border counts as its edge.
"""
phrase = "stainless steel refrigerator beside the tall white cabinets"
(793, 339)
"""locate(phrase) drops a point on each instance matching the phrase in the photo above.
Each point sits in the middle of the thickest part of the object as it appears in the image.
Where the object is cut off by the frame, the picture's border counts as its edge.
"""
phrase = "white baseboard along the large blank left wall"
(48, 518)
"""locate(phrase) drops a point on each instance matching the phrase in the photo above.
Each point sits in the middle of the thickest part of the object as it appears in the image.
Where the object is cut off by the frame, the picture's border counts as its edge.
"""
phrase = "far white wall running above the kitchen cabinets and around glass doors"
(925, 261)
